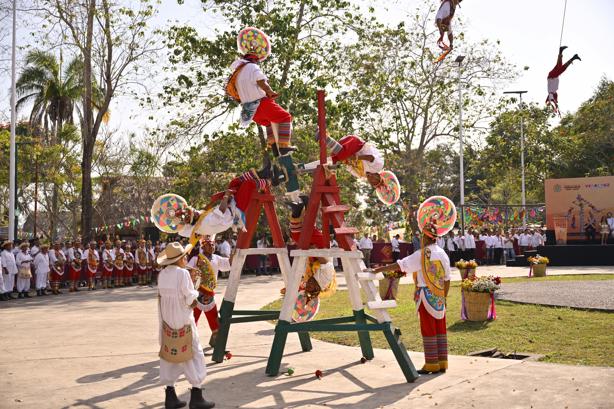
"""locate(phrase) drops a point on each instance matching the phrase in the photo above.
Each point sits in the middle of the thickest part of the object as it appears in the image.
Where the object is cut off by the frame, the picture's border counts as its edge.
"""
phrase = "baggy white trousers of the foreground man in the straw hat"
(194, 370)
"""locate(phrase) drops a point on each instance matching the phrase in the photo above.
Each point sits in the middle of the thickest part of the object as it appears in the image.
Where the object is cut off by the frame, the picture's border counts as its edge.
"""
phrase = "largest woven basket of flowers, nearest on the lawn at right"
(478, 301)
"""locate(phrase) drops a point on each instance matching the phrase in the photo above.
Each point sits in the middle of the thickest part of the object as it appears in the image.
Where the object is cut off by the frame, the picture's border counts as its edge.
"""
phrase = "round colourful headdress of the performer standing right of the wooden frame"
(436, 216)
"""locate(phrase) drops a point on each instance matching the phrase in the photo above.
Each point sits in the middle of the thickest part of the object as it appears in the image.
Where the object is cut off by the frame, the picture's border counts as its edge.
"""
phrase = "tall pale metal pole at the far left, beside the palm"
(12, 167)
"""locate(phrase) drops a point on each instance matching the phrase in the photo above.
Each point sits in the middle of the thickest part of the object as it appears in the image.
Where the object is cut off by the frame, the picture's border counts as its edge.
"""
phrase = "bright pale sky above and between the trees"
(529, 32)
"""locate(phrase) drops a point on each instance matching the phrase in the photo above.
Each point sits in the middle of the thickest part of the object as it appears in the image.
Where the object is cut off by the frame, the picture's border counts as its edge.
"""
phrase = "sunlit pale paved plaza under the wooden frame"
(99, 350)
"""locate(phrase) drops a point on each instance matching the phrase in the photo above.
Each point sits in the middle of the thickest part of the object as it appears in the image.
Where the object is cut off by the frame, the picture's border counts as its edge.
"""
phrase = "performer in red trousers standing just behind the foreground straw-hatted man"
(202, 258)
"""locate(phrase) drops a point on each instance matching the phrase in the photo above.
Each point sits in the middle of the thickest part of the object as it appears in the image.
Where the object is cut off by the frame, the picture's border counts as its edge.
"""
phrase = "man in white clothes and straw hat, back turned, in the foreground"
(180, 352)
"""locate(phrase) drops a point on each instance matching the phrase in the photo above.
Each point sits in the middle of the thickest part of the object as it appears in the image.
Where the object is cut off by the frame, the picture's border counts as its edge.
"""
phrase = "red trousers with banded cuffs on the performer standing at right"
(435, 339)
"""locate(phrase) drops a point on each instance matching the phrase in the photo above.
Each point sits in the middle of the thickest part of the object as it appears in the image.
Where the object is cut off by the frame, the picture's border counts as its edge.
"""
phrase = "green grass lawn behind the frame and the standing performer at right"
(562, 335)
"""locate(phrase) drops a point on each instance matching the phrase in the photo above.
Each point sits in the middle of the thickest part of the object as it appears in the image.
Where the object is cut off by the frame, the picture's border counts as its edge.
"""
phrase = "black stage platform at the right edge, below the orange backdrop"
(578, 255)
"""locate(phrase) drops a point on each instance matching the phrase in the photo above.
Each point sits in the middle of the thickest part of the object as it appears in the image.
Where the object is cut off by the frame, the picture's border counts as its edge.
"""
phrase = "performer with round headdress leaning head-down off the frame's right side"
(364, 161)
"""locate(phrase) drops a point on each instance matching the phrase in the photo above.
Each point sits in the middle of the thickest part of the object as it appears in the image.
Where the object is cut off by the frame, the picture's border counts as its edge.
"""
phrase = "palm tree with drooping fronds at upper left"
(53, 93)
